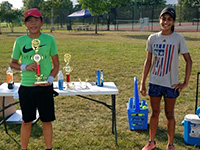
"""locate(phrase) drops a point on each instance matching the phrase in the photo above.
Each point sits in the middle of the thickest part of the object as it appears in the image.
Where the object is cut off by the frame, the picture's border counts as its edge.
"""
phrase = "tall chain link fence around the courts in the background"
(143, 18)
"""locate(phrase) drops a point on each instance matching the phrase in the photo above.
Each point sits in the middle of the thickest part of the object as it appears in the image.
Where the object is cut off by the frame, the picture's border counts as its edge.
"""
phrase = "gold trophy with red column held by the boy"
(37, 58)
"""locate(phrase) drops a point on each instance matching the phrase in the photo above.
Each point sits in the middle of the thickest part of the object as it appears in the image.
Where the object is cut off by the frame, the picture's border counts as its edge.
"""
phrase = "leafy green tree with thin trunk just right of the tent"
(100, 7)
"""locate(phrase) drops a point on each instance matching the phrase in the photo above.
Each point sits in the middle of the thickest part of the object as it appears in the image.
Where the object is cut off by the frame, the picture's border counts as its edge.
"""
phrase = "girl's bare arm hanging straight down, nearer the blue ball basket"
(146, 69)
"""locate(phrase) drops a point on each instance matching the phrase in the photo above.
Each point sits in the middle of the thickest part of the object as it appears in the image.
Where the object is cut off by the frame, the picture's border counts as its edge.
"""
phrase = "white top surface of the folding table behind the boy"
(77, 88)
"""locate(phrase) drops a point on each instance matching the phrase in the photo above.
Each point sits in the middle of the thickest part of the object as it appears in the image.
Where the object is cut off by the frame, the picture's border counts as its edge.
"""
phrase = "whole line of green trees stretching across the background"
(110, 9)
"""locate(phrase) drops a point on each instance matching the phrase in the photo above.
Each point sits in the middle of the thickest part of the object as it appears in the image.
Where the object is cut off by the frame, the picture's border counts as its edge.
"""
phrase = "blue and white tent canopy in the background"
(84, 13)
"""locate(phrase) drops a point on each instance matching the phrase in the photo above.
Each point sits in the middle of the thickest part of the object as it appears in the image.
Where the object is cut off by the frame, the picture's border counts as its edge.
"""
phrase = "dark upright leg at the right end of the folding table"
(114, 124)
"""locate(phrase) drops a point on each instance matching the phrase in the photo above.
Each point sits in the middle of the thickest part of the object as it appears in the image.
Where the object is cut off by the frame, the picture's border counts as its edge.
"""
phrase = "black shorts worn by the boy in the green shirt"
(37, 98)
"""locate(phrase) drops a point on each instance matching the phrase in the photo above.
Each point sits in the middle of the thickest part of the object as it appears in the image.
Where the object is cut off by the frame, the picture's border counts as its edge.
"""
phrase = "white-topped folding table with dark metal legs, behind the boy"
(80, 89)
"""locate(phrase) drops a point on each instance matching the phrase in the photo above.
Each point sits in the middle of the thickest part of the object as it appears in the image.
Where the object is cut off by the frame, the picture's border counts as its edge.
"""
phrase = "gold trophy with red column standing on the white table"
(67, 68)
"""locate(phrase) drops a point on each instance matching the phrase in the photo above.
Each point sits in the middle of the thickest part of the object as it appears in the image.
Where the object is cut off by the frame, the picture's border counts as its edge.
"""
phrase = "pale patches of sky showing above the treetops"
(19, 4)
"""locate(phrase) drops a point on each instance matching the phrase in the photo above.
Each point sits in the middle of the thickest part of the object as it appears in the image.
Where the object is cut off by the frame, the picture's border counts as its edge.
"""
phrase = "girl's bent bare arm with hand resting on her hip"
(188, 69)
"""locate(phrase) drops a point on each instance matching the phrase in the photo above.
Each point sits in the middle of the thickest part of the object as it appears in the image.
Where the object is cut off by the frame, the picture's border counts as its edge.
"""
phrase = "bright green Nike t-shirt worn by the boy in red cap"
(23, 50)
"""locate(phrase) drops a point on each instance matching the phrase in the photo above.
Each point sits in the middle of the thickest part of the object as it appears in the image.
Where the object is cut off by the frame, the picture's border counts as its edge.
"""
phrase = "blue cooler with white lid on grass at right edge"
(192, 129)
